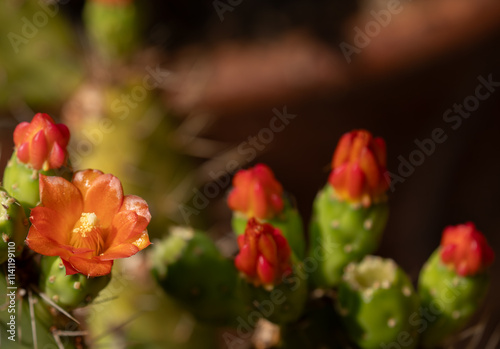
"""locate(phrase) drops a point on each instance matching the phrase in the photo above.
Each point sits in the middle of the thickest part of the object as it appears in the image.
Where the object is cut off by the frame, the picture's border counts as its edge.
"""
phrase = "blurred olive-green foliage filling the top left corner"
(40, 62)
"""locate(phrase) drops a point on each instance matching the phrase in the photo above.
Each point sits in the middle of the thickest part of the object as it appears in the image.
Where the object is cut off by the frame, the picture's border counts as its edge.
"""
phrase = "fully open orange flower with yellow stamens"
(88, 222)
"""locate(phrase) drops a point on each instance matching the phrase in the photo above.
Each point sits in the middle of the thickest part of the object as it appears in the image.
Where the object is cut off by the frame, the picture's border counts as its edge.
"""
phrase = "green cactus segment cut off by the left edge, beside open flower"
(13, 226)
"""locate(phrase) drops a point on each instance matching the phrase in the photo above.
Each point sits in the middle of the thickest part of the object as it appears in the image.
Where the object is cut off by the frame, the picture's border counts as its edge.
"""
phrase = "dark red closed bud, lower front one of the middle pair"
(264, 256)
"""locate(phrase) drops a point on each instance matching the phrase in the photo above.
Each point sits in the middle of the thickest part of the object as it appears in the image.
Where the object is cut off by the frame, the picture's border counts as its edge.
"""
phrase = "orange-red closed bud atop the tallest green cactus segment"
(359, 164)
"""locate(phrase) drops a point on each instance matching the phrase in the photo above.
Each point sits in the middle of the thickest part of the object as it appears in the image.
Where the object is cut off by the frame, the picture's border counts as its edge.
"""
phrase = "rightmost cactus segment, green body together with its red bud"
(453, 282)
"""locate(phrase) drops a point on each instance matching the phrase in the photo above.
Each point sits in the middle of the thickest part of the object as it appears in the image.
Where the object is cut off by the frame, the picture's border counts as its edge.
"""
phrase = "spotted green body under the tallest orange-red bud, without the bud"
(340, 233)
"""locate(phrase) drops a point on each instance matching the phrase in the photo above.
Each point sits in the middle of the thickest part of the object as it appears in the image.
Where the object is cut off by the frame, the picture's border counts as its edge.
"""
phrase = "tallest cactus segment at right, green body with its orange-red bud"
(350, 213)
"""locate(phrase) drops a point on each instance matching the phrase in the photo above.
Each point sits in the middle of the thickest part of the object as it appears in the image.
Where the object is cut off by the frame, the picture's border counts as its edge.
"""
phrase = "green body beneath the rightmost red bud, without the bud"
(449, 299)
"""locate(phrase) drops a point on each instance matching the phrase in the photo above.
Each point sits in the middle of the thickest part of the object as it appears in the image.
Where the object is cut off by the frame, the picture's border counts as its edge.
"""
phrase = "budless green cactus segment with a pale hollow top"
(378, 304)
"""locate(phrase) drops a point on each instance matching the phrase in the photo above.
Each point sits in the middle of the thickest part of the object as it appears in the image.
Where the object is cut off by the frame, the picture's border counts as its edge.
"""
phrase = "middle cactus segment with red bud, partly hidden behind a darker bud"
(257, 194)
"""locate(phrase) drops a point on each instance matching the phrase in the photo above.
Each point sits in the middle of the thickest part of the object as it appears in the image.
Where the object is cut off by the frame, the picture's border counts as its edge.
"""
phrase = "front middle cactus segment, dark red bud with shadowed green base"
(271, 280)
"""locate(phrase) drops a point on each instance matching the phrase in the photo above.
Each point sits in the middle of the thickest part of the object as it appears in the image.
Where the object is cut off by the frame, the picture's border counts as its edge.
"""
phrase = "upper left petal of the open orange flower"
(62, 196)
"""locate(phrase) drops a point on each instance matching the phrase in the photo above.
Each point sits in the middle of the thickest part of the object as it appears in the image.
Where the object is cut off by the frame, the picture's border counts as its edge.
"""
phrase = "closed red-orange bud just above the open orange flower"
(41, 143)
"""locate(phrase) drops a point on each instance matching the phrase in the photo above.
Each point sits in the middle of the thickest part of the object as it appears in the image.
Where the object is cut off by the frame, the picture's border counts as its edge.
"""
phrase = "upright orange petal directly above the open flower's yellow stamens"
(104, 197)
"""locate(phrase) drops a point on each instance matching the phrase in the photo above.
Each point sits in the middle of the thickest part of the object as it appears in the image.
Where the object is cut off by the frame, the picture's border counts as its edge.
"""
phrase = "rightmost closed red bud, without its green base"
(465, 249)
